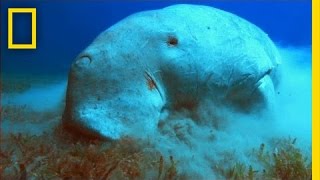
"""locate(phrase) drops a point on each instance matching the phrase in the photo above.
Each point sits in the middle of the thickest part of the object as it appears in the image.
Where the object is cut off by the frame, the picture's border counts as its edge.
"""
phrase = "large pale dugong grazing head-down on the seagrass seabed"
(162, 61)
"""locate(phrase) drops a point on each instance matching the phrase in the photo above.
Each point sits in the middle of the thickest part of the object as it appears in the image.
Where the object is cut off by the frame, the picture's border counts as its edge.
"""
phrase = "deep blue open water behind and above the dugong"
(65, 28)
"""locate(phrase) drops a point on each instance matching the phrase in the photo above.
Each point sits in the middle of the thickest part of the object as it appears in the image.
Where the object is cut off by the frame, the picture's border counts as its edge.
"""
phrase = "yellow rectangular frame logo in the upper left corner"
(33, 44)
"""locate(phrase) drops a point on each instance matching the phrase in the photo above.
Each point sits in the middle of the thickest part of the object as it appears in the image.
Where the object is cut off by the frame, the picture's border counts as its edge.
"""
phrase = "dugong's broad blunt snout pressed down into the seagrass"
(105, 99)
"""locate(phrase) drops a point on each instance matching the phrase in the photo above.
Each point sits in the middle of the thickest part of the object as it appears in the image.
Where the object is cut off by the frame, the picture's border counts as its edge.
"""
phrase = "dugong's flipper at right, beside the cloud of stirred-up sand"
(255, 93)
